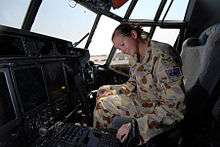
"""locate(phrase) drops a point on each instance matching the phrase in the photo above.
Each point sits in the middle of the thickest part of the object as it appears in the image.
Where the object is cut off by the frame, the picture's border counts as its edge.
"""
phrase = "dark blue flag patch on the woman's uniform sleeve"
(174, 73)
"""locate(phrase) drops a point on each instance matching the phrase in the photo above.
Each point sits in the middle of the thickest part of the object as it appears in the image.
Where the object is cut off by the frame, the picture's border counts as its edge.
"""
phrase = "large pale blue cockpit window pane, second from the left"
(63, 19)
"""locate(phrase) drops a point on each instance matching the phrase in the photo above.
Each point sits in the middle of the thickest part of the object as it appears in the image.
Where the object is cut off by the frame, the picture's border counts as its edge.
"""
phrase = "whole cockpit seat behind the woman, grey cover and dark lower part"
(201, 69)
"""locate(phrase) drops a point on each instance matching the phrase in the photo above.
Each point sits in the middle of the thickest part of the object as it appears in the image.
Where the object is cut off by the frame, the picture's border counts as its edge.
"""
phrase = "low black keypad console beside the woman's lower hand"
(69, 135)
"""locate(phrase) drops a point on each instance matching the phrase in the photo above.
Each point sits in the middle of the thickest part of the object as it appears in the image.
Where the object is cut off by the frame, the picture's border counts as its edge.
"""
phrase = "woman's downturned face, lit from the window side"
(126, 44)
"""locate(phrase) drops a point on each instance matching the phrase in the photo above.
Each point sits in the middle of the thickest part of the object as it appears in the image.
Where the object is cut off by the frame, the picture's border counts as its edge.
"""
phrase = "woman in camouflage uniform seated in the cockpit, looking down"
(153, 95)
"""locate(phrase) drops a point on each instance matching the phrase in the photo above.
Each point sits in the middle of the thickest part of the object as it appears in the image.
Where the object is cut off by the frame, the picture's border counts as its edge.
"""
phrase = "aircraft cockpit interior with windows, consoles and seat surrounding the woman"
(54, 56)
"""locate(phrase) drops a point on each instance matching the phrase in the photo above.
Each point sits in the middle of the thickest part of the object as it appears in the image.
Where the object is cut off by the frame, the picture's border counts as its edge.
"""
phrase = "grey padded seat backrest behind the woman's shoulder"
(201, 57)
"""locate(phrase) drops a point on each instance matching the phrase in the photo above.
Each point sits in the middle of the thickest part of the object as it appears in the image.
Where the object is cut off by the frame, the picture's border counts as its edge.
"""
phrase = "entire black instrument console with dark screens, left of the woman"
(45, 81)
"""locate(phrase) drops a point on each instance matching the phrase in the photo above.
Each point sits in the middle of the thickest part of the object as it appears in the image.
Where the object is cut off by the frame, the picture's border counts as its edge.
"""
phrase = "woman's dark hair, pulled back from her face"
(125, 29)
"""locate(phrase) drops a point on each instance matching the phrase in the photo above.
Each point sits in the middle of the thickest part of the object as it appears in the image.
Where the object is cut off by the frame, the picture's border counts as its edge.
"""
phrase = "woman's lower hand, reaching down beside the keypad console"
(123, 132)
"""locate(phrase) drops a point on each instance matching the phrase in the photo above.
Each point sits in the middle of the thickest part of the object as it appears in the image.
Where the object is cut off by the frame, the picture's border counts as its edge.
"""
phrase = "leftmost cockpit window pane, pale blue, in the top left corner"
(12, 13)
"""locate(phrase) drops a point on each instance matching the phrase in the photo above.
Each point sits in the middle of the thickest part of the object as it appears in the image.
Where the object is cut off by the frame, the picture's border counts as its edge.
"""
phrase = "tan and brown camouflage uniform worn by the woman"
(153, 94)
